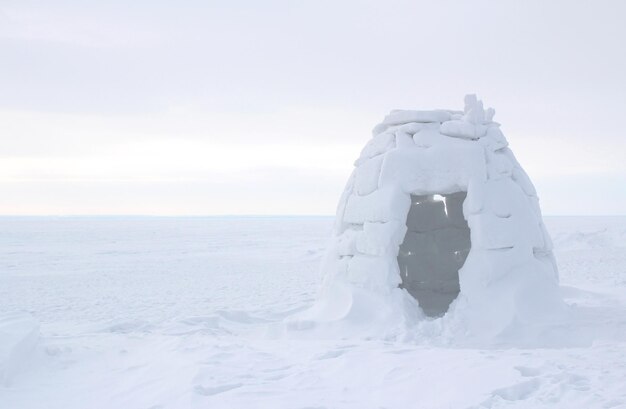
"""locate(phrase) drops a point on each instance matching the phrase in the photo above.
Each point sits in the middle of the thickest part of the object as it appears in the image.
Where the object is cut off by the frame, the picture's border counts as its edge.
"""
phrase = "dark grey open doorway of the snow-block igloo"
(435, 247)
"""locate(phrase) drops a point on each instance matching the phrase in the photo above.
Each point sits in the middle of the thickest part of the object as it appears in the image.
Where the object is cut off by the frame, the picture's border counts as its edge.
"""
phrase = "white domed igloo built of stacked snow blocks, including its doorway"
(438, 223)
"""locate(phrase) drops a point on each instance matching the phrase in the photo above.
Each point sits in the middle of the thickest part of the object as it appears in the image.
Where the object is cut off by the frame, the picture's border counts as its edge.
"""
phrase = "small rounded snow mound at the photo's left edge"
(19, 333)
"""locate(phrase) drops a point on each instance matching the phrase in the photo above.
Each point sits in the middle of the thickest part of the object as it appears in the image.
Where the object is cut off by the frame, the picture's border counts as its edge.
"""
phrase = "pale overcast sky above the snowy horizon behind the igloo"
(261, 107)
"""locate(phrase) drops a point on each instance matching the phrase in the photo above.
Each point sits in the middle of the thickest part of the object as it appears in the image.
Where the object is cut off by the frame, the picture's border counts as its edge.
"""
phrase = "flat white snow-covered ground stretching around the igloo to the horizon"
(186, 313)
